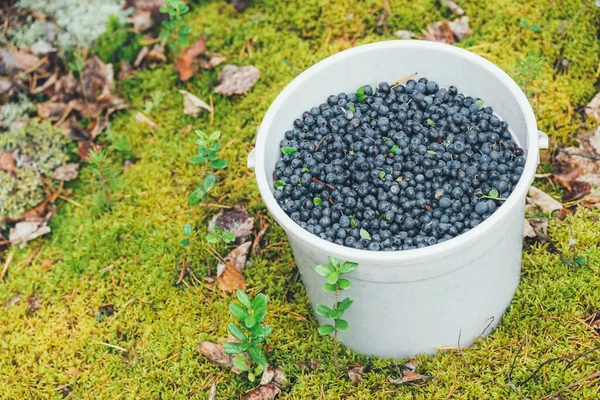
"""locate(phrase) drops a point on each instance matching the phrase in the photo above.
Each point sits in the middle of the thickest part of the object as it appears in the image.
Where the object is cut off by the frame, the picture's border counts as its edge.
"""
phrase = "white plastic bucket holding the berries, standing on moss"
(414, 301)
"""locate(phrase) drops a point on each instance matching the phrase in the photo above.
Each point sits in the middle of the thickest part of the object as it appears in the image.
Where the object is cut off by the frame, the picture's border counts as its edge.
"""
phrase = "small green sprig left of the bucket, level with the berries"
(208, 147)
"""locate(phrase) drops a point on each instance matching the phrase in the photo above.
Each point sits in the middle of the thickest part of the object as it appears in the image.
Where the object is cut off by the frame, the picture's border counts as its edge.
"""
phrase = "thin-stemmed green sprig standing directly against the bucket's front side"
(333, 272)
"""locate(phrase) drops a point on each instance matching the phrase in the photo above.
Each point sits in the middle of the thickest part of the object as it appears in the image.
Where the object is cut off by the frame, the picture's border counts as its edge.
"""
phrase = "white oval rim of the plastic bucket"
(399, 257)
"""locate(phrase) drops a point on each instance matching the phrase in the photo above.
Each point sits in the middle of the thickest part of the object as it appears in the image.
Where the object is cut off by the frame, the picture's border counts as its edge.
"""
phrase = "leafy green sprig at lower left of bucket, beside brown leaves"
(251, 333)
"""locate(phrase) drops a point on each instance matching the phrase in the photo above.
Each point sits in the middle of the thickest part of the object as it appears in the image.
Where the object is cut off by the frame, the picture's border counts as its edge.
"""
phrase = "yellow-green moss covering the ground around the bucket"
(61, 348)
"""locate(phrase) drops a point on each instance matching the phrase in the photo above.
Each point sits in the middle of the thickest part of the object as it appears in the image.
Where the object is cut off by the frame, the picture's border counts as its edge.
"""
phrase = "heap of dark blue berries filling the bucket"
(396, 167)
